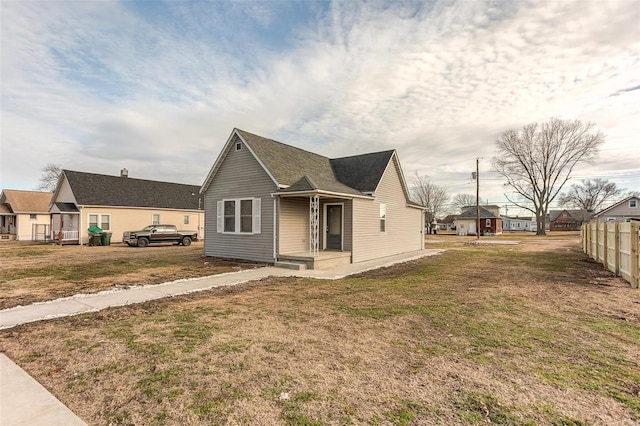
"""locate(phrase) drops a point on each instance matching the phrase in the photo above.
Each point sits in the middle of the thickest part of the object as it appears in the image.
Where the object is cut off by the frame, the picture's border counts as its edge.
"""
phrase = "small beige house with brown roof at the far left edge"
(24, 215)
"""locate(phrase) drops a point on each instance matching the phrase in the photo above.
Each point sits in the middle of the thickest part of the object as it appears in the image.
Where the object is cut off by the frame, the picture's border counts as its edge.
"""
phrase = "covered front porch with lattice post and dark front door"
(314, 231)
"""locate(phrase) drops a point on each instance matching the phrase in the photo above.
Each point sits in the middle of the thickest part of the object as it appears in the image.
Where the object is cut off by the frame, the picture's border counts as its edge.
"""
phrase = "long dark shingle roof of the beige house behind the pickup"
(92, 189)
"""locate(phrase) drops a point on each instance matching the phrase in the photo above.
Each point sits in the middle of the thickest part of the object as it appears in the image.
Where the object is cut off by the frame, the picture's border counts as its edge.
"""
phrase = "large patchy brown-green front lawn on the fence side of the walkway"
(500, 334)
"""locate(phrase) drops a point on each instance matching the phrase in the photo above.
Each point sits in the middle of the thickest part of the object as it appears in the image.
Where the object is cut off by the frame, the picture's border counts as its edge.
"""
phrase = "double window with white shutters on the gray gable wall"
(239, 216)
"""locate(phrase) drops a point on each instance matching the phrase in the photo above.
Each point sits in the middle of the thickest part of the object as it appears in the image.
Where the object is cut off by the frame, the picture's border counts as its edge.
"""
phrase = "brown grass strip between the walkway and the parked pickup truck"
(33, 273)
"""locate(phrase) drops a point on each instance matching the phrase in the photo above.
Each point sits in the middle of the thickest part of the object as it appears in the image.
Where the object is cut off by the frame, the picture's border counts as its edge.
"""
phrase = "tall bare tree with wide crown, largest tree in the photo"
(538, 160)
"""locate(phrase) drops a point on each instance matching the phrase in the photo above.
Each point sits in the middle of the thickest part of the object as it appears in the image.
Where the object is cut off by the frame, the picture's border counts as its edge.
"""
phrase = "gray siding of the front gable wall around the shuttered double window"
(240, 176)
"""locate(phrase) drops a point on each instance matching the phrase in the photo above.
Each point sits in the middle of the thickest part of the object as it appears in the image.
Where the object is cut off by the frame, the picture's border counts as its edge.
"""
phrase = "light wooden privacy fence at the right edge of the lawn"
(616, 246)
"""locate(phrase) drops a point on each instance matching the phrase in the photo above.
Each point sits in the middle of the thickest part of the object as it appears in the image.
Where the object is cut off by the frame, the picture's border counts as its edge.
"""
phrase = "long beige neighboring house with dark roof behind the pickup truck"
(118, 203)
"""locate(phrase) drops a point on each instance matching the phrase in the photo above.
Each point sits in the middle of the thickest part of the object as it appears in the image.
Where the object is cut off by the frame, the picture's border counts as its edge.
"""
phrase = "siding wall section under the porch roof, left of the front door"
(294, 225)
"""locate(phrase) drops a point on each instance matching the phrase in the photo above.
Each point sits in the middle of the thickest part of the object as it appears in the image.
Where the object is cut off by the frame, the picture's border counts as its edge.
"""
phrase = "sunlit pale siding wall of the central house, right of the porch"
(404, 228)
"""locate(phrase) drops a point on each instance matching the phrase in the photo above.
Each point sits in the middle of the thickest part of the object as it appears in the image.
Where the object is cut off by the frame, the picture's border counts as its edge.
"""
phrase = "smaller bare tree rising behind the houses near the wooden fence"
(590, 195)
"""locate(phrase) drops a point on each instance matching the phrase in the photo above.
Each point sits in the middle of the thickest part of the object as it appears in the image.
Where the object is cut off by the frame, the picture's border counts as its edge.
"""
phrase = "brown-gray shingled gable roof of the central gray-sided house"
(296, 170)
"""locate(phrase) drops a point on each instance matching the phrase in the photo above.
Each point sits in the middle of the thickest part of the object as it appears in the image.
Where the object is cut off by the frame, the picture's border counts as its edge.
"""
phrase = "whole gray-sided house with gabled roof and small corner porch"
(270, 202)
